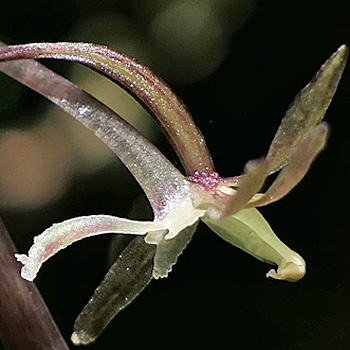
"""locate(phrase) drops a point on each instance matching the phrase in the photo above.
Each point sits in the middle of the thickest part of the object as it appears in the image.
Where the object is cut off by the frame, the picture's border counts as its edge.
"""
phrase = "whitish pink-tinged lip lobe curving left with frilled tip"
(59, 236)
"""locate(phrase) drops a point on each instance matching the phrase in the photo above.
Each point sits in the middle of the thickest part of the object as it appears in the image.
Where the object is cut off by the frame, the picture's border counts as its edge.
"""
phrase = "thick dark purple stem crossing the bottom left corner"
(25, 321)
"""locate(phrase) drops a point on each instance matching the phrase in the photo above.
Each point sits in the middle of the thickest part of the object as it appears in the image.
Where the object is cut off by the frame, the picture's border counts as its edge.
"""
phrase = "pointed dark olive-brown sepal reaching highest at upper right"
(307, 110)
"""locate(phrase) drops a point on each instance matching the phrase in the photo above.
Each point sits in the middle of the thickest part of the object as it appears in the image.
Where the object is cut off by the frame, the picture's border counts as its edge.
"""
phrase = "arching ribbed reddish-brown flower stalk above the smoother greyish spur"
(141, 82)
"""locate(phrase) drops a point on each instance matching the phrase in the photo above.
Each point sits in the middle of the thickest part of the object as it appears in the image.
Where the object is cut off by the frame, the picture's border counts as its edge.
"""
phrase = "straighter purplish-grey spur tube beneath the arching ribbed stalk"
(156, 175)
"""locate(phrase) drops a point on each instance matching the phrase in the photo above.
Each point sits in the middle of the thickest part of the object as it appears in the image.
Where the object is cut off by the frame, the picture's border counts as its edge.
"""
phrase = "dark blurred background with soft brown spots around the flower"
(237, 64)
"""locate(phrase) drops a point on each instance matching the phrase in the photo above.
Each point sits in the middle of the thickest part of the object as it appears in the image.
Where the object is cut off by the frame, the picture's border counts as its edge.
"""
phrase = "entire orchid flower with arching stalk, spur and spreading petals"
(179, 202)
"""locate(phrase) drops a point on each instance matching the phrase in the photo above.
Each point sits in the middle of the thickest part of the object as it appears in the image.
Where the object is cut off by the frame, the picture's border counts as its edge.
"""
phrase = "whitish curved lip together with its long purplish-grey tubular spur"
(166, 188)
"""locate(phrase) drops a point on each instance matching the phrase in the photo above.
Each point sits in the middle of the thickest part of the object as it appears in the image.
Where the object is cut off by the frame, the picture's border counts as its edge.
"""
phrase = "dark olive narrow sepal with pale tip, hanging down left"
(124, 281)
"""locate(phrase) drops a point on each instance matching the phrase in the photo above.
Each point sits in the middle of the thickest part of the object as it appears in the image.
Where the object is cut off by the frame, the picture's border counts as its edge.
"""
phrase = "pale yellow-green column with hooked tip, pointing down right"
(249, 231)
